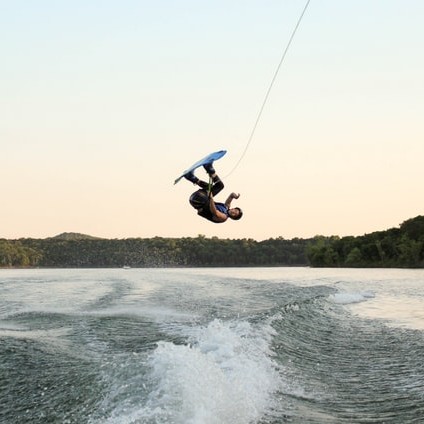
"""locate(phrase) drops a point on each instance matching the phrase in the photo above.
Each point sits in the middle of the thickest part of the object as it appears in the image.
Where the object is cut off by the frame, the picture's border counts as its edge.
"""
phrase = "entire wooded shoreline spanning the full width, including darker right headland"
(396, 247)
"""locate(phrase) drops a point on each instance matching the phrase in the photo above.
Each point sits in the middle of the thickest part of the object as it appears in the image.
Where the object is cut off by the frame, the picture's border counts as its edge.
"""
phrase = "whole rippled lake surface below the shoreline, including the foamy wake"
(212, 346)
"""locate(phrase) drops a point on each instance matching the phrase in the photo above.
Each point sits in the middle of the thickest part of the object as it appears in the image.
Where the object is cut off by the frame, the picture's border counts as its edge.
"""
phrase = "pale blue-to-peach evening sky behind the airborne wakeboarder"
(104, 103)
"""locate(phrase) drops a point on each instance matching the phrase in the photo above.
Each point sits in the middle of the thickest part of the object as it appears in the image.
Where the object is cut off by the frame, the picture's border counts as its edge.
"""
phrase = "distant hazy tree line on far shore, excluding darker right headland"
(83, 251)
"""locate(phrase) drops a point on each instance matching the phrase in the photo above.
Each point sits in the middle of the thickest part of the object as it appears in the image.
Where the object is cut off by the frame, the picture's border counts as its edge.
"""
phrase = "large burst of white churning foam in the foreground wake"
(226, 374)
